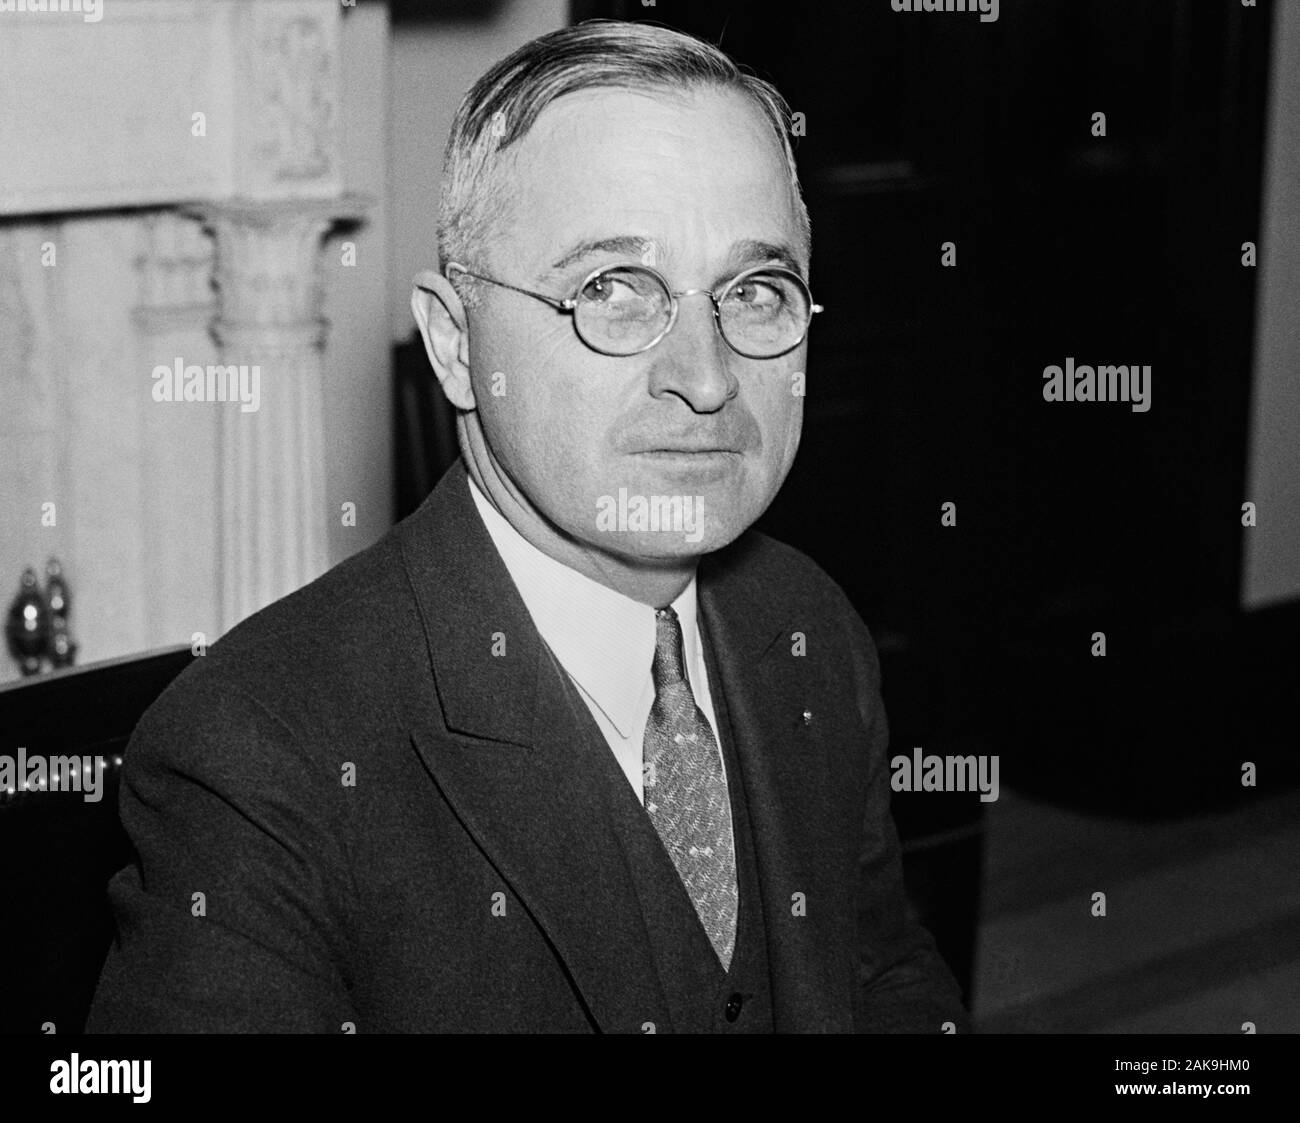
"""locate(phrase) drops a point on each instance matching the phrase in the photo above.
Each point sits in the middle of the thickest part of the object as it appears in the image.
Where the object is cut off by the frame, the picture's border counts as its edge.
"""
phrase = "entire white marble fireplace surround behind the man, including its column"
(168, 174)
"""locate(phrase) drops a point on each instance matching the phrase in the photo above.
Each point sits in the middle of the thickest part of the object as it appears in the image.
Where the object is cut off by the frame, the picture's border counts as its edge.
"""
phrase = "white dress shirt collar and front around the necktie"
(605, 641)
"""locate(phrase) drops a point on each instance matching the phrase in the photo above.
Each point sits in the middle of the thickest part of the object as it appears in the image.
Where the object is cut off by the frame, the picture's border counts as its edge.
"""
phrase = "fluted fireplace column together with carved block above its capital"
(284, 197)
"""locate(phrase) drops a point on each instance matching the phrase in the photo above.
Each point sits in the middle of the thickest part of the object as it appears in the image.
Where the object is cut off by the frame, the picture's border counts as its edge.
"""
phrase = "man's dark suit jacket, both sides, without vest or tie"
(353, 779)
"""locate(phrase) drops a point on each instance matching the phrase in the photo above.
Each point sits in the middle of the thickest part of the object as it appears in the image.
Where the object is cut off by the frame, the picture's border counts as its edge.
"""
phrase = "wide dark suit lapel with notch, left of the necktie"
(500, 736)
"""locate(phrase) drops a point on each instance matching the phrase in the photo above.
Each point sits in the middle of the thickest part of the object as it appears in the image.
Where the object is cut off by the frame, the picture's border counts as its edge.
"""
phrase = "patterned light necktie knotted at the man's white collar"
(686, 792)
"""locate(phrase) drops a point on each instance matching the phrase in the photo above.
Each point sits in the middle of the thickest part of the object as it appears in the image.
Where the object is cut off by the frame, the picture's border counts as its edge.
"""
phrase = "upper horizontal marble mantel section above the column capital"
(107, 115)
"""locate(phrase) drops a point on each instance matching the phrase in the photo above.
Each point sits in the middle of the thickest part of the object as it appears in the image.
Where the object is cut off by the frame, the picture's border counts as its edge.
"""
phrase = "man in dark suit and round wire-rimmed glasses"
(571, 749)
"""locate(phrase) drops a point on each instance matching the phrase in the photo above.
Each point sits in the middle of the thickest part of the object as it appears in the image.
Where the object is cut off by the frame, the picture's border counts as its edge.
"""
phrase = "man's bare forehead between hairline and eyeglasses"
(655, 177)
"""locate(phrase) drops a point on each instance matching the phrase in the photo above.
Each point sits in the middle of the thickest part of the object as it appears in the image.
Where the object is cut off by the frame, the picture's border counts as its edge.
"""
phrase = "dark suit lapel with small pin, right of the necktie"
(786, 773)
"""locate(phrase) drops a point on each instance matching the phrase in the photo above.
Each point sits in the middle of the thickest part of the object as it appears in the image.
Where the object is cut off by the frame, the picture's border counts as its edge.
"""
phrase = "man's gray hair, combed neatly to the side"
(505, 103)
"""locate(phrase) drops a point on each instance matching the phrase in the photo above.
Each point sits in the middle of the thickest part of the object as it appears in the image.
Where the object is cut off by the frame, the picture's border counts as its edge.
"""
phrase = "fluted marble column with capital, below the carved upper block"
(271, 463)
